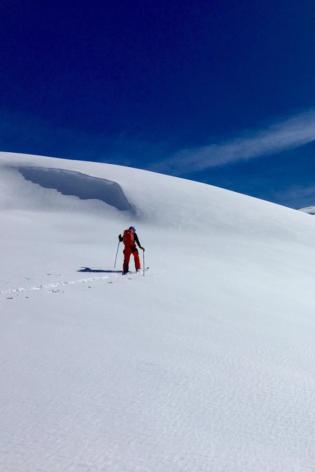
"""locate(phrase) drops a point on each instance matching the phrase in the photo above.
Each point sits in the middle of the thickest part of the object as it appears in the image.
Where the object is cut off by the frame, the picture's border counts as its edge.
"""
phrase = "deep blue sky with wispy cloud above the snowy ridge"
(216, 91)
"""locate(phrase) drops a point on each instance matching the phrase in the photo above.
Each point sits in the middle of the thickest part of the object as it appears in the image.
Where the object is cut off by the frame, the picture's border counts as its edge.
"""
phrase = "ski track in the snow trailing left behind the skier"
(55, 287)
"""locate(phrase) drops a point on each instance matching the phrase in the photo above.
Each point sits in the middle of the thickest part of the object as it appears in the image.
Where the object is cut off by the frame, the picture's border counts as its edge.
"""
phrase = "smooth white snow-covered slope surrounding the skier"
(205, 364)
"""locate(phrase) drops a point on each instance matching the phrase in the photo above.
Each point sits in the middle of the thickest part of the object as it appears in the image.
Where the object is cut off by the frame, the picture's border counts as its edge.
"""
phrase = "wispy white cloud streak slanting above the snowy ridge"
(281, 136)
